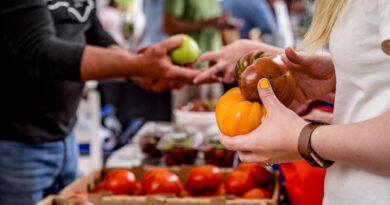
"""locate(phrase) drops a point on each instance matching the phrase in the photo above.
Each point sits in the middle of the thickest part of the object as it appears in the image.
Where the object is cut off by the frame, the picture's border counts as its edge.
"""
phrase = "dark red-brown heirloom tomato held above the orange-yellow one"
(257, 65)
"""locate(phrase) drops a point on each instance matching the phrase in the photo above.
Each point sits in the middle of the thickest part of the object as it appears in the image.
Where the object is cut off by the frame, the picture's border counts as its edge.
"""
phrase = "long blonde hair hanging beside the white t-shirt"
(325, 16)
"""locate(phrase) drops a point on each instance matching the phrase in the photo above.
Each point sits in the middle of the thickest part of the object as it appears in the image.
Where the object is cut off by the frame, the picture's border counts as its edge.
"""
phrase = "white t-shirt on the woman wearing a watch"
(358, 44)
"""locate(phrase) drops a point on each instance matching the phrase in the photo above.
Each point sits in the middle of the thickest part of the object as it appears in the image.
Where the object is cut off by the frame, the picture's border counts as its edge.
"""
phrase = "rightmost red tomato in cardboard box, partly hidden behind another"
(263, 177)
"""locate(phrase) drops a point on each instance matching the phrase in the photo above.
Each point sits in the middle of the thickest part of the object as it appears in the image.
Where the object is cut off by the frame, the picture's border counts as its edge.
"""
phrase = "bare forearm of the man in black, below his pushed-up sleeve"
(101, 63)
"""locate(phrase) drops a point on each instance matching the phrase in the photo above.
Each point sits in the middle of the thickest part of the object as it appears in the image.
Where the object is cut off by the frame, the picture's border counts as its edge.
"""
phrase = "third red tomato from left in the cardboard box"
(203, 180)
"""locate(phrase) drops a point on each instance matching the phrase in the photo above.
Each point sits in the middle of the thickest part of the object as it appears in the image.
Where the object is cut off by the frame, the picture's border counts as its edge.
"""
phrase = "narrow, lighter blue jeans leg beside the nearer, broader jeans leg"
(68, 172)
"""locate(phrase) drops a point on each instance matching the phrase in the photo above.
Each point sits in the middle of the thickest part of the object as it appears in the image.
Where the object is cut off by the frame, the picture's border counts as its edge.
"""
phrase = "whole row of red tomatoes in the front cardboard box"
(249, 181)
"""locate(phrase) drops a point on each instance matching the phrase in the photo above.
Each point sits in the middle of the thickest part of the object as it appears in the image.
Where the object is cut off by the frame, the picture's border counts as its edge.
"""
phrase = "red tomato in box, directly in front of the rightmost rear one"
(239, 182)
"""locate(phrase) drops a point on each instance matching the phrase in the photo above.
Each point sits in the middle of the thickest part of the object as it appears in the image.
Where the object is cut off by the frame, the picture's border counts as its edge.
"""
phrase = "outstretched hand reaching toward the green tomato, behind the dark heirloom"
(225, 59)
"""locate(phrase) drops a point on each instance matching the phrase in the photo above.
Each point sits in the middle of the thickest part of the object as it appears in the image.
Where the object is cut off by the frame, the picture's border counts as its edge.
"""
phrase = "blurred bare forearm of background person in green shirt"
(173, 25)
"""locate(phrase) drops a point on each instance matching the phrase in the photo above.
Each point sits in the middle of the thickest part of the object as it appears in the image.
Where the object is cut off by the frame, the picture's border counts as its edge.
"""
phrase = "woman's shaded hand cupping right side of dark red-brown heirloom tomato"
(314, 74)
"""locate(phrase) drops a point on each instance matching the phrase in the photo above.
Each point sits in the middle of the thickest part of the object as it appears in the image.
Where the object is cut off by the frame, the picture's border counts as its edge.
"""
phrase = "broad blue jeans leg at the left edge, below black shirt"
(26, 170)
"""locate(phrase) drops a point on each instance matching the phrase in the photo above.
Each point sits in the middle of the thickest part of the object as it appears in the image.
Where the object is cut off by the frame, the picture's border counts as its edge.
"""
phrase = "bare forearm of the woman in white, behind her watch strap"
(364, 145)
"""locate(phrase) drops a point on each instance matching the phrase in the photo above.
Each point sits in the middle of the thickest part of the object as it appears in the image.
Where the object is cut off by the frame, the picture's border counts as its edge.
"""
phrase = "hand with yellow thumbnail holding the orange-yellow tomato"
(276, 139)
